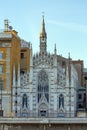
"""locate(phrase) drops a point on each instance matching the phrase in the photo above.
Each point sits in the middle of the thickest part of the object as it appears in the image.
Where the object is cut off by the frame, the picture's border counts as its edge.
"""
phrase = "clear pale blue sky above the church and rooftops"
(65, 21)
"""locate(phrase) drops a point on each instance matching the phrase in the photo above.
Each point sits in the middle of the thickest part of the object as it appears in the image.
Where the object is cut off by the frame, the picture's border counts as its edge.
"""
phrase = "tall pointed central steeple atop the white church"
(43, 38)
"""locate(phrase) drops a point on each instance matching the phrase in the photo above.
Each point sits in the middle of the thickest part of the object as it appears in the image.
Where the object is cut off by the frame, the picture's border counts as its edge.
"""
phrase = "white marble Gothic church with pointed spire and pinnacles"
(48, 90)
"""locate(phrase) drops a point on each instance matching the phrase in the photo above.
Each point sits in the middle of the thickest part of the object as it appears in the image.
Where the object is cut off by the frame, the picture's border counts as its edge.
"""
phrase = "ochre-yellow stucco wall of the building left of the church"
(14, 51)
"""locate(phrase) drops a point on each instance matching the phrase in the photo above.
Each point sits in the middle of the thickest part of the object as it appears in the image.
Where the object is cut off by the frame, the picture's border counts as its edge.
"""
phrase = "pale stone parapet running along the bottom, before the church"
(43, 120)
